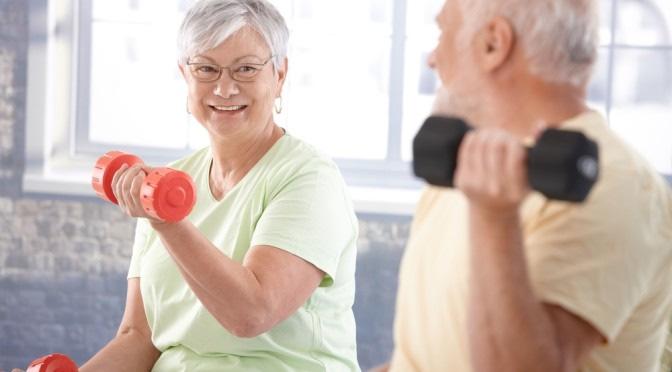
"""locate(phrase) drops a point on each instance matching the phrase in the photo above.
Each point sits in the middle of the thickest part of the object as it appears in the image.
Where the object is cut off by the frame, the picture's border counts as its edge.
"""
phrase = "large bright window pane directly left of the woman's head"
(137, 95)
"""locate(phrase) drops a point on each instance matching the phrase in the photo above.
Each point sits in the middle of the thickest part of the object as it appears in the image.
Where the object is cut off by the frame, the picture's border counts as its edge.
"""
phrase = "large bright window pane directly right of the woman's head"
(337, 92)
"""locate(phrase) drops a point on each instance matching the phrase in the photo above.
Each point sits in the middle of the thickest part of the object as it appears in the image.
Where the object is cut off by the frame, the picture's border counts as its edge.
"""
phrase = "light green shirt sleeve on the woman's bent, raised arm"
(312, 218)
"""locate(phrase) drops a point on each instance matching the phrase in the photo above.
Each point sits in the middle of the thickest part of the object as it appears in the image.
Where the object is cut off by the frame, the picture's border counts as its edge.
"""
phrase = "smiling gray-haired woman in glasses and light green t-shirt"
(260, 276)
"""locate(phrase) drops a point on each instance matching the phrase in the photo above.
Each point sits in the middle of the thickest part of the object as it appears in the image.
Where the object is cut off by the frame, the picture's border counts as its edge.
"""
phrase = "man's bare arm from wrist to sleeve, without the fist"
(509, 328)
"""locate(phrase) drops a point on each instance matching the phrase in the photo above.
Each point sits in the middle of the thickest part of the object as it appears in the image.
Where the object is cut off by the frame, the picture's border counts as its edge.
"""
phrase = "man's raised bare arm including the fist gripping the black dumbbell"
(509, 328)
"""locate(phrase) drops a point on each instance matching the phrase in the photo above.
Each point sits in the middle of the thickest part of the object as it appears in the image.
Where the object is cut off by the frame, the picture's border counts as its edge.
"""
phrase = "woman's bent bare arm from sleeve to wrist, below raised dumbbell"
(247, 299)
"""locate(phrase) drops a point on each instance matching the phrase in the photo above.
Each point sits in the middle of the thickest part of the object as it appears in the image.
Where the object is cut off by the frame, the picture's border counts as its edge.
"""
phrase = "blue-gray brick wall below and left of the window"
(63, 262)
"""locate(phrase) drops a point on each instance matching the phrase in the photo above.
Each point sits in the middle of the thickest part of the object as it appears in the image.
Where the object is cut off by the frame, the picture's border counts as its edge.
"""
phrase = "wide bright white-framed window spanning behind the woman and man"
(358, 86)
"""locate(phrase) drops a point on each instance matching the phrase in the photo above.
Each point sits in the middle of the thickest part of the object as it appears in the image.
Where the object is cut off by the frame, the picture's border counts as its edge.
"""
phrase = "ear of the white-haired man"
(495, 43)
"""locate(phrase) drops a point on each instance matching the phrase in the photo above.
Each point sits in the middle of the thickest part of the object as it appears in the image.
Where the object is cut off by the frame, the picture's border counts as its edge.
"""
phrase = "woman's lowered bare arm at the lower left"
(131, 349)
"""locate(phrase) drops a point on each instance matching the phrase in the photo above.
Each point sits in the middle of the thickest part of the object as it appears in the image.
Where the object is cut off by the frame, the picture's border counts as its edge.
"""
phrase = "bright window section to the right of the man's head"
(639, 76)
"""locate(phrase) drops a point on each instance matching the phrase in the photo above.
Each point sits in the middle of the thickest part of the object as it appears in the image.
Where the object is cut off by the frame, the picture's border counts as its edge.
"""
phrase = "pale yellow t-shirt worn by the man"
(608, 260)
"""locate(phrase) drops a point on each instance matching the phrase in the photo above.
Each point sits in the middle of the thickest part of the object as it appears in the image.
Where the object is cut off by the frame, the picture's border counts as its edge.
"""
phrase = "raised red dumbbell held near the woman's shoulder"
(166, 194)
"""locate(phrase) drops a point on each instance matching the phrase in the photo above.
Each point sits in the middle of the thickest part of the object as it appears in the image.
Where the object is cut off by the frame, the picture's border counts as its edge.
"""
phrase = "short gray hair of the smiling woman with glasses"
(208, 23)
